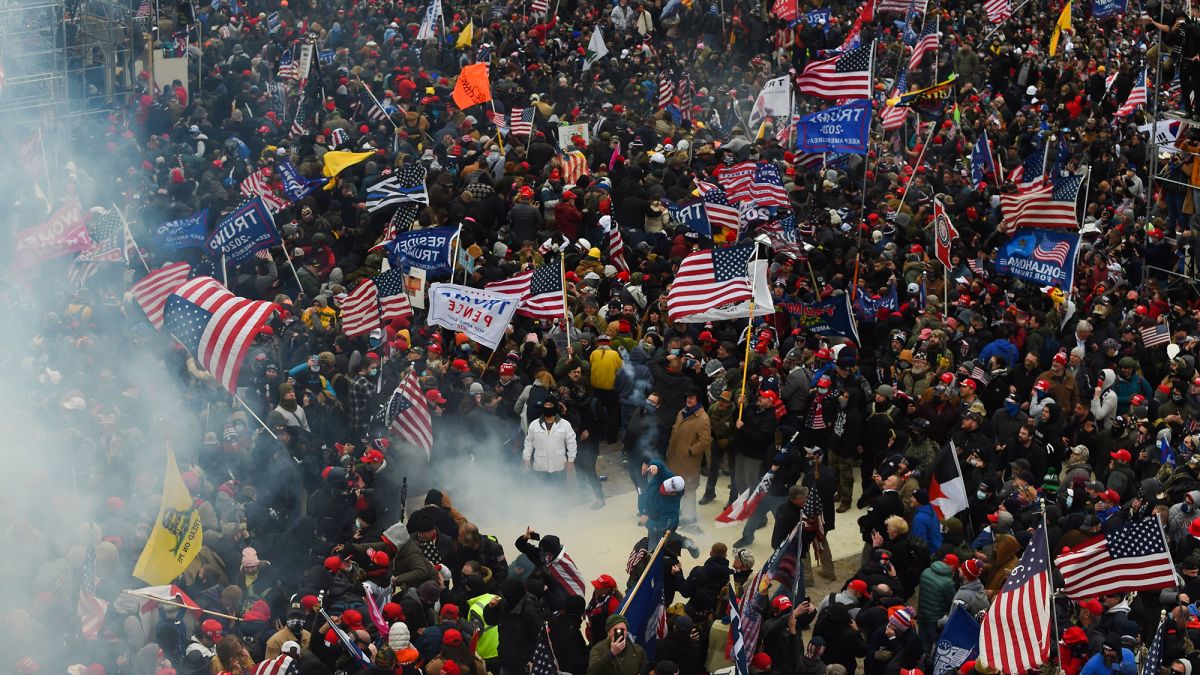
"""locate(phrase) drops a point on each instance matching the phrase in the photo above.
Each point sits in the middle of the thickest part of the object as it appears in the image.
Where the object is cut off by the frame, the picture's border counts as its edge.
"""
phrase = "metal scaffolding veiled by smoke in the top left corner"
(63, 58)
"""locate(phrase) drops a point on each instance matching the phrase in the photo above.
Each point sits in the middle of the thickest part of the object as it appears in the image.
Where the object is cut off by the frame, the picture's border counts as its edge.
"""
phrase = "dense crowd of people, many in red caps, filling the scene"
(1055, 408)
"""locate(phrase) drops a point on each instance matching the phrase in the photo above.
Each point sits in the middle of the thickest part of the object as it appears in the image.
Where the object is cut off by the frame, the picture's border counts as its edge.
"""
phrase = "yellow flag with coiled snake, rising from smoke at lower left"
(177, 536)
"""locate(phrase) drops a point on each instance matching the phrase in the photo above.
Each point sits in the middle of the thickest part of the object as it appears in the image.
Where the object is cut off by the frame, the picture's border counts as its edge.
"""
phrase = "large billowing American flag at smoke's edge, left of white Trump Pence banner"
(215, 326)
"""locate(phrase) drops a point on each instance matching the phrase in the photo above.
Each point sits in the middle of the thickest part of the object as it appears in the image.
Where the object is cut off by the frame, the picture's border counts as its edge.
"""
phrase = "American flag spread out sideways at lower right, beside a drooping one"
(1133, 558)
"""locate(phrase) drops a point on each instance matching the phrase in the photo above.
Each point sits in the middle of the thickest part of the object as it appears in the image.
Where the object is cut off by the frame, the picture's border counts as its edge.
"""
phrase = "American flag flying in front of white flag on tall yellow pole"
(711, 279)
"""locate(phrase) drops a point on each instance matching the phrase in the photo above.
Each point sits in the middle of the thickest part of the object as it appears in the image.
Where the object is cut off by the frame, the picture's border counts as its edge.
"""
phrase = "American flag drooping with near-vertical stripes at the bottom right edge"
(1016, 632)
